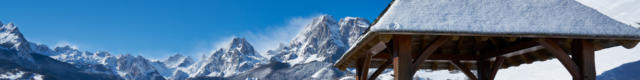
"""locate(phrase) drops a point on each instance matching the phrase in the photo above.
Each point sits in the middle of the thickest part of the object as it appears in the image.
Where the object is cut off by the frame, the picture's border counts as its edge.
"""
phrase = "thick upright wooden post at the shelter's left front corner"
(402, 67)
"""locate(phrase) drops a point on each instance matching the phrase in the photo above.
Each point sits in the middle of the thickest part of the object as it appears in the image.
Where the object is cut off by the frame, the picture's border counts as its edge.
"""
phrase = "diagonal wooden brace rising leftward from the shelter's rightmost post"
(562, 56)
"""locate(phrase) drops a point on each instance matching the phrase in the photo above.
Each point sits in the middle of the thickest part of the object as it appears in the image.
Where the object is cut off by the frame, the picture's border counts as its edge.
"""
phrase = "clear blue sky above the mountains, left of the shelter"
(160, 28)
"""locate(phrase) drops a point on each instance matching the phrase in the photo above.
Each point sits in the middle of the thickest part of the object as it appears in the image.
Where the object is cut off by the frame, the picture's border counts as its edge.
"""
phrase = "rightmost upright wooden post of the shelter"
(583, 55)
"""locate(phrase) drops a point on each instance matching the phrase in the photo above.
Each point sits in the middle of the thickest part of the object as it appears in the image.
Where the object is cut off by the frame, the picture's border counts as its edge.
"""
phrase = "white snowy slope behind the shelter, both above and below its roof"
(625, 11)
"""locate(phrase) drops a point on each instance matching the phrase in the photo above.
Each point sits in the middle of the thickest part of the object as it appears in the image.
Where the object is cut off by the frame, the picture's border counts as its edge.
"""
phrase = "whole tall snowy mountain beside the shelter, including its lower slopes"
(311, 53)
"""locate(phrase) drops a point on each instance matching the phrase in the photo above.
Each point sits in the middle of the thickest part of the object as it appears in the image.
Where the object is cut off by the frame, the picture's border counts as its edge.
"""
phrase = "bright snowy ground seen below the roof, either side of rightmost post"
(605, 60)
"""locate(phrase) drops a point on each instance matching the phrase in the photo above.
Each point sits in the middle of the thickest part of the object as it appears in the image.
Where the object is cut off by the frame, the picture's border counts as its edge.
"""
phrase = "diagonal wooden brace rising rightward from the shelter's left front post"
(429, 50)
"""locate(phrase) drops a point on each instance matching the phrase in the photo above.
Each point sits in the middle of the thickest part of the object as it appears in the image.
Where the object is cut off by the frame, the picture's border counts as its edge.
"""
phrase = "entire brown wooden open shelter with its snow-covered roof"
(484, 35)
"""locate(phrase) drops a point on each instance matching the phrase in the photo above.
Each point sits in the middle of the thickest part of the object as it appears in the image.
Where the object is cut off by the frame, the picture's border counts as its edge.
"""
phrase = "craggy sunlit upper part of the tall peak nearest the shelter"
(322, 40)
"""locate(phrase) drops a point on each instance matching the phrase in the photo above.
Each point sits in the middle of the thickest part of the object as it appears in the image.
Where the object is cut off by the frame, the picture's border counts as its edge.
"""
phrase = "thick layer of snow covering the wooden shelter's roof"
(539, 18)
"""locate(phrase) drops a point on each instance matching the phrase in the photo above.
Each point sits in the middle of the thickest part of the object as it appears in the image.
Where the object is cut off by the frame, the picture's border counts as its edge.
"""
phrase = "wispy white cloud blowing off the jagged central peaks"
(268, 39)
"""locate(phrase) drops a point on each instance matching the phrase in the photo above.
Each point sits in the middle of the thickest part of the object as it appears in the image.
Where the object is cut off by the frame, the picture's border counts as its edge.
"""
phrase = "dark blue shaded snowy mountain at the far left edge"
(21, 59)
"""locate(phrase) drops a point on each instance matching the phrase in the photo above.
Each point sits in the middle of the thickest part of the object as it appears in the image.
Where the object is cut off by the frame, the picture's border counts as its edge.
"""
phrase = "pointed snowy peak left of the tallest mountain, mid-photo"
(239, 56)
